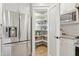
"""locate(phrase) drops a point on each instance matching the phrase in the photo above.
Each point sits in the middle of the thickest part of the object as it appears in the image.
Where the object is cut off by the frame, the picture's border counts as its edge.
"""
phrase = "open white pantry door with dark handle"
(54, 29)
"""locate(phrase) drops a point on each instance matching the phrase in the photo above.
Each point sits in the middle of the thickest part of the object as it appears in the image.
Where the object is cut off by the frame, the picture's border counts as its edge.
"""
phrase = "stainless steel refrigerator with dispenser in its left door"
(16, 34)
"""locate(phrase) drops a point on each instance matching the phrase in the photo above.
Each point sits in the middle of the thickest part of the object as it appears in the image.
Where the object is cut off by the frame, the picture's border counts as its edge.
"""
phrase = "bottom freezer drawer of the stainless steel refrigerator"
(17, 49)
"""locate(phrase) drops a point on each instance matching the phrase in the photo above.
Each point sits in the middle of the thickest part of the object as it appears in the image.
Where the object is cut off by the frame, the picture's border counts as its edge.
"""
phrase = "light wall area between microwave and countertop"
(73, 29)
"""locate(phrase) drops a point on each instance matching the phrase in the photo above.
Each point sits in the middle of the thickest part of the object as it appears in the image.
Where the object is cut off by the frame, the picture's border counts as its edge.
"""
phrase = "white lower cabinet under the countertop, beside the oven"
(67, 47)
